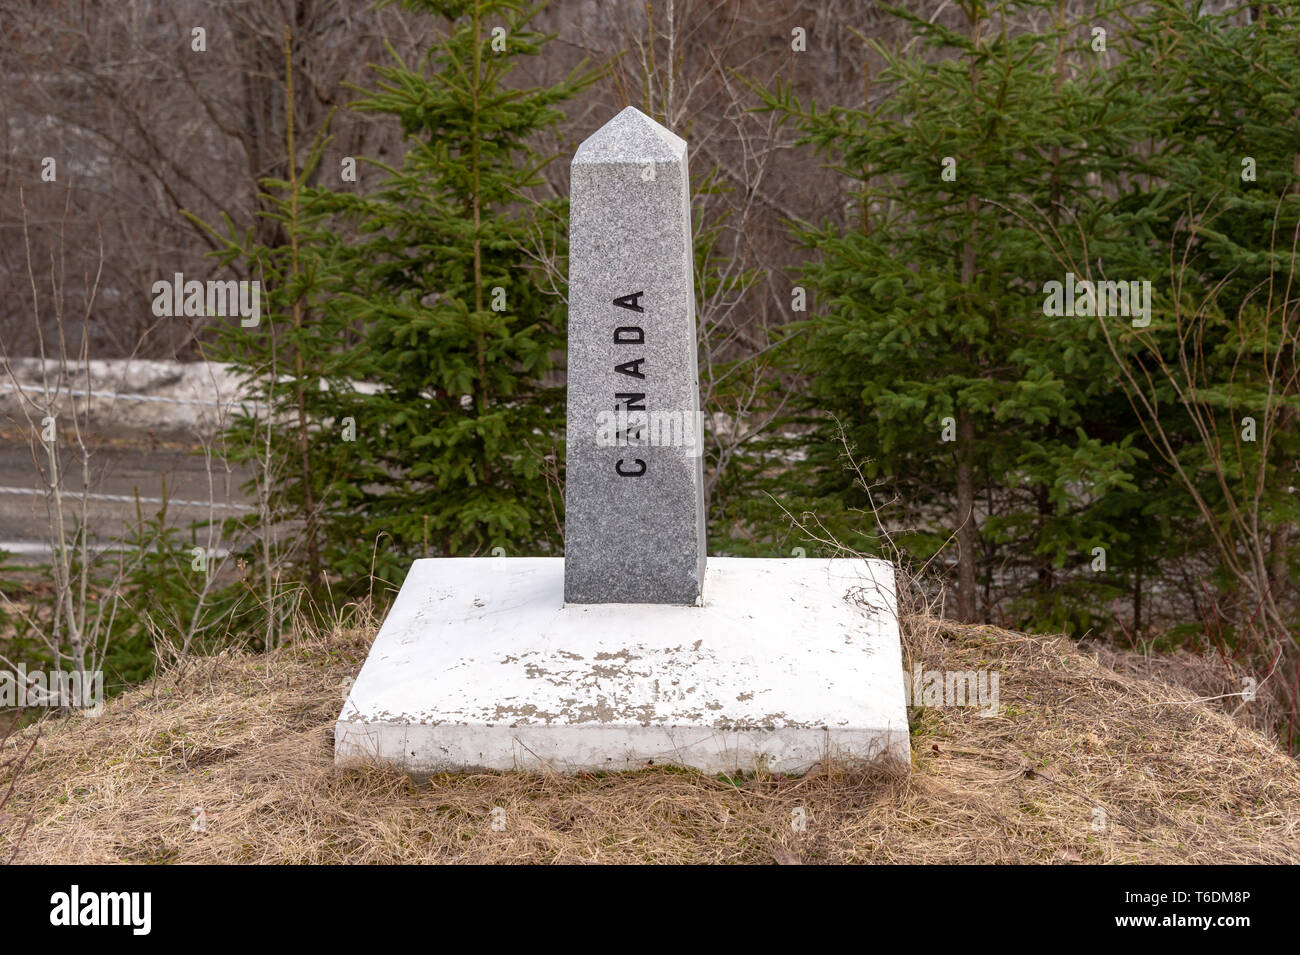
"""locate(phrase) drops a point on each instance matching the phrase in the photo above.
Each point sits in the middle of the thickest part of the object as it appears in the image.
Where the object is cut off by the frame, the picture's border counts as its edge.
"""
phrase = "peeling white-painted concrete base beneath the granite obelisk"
(480, 665)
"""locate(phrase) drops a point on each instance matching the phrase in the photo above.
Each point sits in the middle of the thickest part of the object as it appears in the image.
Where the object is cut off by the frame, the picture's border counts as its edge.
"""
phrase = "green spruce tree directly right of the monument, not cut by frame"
(994, 423)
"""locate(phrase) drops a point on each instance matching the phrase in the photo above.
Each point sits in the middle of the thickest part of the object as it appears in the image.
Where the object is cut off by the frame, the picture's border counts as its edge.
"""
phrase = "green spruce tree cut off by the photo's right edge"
(1223, 206)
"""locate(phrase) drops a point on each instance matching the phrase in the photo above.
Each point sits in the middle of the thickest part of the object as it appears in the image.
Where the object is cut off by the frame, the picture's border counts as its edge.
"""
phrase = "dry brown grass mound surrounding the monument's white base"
(248, 739)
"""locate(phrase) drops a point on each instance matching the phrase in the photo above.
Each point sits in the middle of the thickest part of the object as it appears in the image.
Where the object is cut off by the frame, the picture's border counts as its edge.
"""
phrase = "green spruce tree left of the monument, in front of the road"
(427, 283)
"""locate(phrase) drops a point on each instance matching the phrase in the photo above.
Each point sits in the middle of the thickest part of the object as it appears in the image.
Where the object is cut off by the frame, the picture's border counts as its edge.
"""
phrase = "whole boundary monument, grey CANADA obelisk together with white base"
(632, 649)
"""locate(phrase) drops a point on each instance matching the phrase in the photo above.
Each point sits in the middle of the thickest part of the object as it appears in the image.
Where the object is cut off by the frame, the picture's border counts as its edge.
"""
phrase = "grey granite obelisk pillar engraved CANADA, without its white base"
(635, 500)
